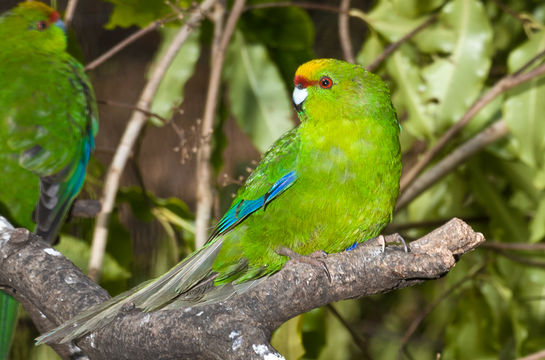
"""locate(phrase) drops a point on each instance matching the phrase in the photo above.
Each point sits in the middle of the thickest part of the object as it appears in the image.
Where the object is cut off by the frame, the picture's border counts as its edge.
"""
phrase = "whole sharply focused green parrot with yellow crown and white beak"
(329, 183)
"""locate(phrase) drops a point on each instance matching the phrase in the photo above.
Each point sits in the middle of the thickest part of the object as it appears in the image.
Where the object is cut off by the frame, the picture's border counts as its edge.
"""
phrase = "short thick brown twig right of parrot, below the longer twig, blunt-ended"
(489, 135)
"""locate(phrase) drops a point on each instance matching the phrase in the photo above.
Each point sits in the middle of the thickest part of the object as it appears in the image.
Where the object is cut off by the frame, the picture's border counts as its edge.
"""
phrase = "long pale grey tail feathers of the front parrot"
(149, 296)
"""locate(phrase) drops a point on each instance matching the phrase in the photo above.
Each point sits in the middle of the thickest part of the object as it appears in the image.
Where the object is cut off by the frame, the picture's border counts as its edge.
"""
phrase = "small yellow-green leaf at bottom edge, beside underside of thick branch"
(288, 340)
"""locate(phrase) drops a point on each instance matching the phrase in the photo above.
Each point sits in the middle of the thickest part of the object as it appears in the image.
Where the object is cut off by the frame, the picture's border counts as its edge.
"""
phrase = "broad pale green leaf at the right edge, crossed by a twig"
(524, 108)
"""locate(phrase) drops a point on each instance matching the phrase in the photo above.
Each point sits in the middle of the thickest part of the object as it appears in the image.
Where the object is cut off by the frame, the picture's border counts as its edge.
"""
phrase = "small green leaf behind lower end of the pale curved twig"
(78, 251)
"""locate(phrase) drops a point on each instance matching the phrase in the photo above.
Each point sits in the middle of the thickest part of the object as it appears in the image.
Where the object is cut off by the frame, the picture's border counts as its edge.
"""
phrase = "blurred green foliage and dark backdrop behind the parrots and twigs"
(491, 306)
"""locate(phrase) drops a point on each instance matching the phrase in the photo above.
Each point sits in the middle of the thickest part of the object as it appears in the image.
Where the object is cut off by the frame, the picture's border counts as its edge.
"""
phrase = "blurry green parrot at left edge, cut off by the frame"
(48, 120)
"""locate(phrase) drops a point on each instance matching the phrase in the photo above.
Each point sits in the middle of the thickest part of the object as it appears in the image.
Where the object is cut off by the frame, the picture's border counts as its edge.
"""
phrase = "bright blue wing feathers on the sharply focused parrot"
(244, 208)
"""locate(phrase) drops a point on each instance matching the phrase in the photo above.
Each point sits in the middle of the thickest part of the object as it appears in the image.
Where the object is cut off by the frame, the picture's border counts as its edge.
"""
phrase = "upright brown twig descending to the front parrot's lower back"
(204, 173)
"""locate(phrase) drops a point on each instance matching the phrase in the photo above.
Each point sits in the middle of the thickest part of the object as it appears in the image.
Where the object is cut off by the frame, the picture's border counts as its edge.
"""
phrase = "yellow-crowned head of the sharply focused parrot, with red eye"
(334, 89)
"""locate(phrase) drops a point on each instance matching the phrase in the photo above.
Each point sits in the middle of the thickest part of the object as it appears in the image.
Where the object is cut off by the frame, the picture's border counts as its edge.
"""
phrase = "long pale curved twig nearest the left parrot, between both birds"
(132, 131)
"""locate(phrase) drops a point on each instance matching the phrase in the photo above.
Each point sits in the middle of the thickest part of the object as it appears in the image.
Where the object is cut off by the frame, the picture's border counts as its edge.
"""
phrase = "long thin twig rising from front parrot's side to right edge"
(506, 83)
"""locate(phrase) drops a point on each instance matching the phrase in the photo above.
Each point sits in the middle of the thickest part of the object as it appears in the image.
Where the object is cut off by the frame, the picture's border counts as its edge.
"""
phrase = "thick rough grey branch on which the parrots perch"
(238, 328)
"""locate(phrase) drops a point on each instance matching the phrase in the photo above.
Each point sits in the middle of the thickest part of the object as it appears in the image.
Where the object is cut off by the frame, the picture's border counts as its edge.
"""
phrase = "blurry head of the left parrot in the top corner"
(34, 25)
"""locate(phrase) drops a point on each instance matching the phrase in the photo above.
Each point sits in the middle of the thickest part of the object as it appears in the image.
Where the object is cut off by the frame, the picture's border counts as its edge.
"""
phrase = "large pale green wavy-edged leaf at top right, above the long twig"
(455, 82)
